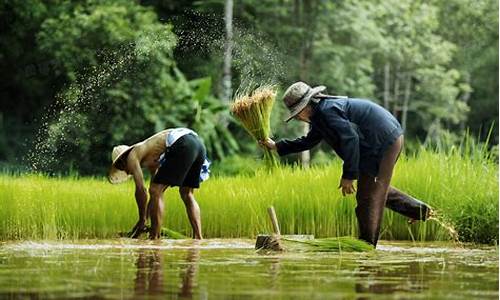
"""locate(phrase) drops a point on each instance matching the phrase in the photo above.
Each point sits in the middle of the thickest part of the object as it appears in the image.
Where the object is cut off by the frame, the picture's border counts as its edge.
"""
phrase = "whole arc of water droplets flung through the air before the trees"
(68, 125)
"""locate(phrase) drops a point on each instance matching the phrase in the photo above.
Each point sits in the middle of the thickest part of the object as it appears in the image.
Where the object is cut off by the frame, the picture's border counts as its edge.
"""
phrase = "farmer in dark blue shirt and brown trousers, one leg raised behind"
(367, 138)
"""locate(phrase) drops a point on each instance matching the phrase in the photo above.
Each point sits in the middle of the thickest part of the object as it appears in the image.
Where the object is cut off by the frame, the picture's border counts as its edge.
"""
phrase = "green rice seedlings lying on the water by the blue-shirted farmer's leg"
(335, 244)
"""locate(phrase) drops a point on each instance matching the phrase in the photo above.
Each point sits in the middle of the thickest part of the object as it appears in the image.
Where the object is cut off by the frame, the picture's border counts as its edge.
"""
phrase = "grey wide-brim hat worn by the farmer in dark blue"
(298, 95)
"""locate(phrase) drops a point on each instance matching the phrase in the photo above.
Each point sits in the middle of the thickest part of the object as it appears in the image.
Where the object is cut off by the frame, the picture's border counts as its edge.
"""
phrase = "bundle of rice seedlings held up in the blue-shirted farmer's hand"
(253, 110)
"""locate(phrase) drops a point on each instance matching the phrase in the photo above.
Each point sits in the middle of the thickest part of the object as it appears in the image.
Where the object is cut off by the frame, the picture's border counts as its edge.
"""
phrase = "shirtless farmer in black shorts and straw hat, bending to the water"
(174, 157)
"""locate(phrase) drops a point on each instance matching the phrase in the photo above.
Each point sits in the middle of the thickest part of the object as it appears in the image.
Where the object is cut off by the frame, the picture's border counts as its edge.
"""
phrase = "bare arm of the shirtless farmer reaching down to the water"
(141, 196)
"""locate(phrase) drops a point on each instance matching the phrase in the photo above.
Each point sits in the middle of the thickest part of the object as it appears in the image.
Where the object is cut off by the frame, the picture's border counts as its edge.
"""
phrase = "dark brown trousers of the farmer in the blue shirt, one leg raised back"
(375, 193)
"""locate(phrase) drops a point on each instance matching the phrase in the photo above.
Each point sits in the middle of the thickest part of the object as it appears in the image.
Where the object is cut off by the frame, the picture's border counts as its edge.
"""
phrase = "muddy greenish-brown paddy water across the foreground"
(219, 269)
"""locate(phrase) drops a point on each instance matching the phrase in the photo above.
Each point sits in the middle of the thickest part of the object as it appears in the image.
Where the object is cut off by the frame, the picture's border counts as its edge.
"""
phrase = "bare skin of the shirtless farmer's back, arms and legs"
(146, 154)
